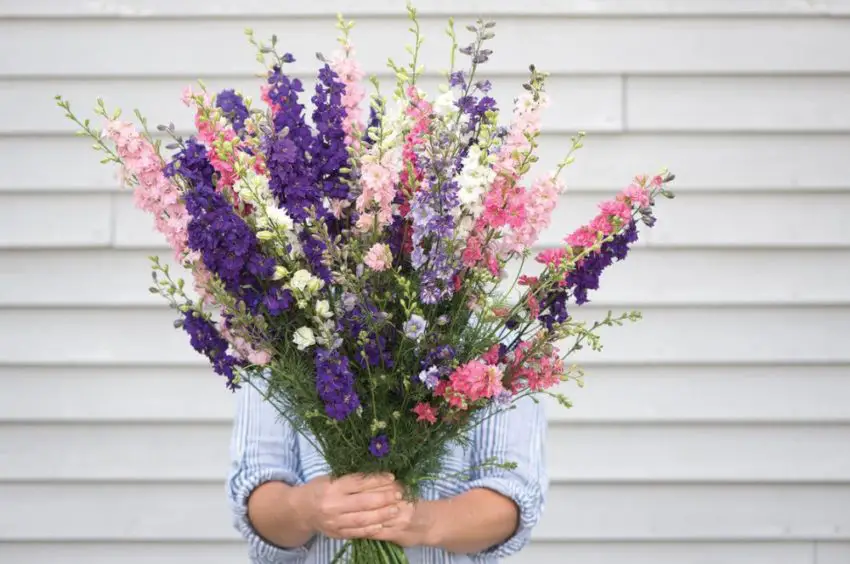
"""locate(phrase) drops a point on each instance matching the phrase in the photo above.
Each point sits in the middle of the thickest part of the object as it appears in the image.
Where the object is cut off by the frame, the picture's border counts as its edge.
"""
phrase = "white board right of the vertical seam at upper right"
(738, 103)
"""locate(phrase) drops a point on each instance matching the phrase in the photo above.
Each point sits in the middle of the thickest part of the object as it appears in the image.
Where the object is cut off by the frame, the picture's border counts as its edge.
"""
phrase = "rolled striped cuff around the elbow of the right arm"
(529, 500)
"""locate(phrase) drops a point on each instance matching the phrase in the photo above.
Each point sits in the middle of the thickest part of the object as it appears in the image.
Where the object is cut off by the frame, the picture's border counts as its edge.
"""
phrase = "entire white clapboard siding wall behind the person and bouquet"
(713, 431)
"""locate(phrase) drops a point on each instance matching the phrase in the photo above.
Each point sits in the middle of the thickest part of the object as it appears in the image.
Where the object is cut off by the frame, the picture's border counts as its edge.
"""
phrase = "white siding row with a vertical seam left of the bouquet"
(748, 219)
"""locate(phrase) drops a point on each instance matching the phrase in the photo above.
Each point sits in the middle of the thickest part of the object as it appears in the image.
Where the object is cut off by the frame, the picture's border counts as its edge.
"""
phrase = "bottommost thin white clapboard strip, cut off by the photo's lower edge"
(236, 552)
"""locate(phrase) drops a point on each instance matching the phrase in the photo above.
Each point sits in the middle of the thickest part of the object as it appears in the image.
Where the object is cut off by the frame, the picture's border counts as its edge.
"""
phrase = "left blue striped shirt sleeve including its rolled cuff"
(263, 448)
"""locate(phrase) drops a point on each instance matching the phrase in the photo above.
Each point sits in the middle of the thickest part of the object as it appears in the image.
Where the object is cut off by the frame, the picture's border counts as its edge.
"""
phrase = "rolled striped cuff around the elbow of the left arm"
(262, 551)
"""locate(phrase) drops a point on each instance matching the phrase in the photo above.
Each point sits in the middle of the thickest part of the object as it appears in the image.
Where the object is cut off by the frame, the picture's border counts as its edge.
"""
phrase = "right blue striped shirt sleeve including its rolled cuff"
(516, 435)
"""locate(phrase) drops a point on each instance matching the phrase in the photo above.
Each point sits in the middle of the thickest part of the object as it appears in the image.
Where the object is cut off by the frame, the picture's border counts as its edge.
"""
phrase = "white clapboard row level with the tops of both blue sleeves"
(624, 394)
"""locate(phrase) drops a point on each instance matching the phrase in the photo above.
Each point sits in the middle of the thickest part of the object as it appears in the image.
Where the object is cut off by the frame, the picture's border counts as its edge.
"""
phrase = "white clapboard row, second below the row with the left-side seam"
(664, 335)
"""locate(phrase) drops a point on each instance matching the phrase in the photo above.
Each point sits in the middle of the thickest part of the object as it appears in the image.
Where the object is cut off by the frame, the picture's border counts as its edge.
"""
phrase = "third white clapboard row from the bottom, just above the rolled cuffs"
(632, 453)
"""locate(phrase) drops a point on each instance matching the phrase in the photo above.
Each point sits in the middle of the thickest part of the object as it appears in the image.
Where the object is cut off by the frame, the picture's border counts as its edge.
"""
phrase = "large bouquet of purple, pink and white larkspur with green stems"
(356, 268)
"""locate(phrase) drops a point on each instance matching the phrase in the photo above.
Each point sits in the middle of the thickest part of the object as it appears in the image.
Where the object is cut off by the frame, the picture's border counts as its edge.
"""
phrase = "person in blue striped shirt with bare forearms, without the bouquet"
(291, 511)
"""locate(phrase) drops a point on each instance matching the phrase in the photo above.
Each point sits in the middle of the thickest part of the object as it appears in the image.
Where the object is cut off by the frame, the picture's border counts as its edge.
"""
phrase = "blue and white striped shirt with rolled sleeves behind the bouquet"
(265, 448)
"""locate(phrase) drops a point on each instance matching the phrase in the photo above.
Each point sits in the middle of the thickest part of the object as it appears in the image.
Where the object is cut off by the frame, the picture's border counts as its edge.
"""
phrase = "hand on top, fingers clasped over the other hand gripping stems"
(350, 507)
